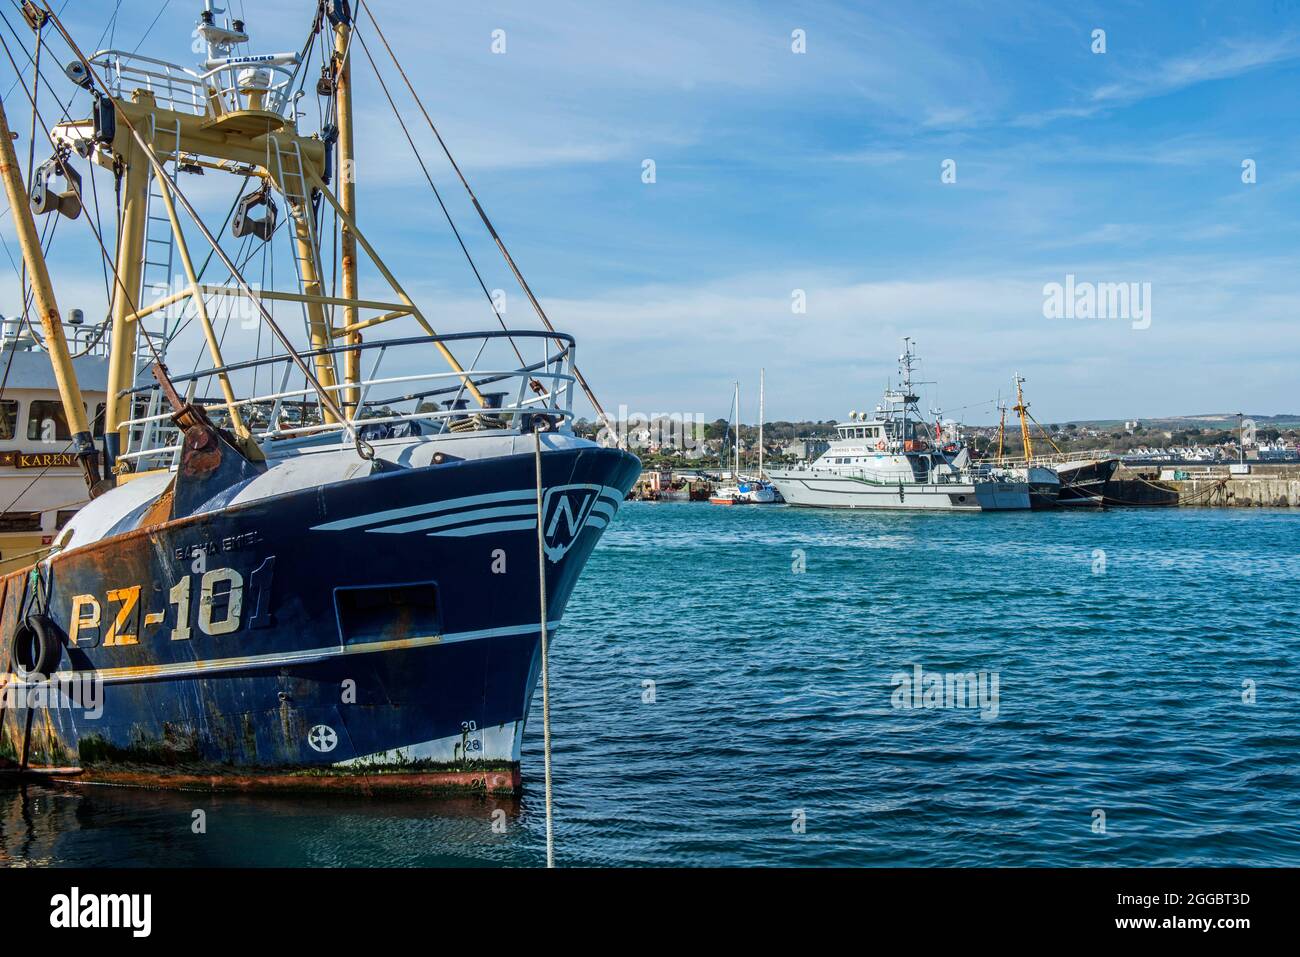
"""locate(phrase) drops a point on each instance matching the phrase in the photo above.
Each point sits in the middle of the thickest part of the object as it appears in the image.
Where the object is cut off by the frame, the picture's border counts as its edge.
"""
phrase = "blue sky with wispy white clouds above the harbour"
(920, 170)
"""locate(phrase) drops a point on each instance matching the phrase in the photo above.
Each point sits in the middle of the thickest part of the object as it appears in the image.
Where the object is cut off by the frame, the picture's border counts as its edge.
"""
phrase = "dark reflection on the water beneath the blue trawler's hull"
(127, 828)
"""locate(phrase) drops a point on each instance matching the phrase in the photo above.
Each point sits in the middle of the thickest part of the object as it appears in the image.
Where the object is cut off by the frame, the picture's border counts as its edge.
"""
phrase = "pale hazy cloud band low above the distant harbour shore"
(678, 345)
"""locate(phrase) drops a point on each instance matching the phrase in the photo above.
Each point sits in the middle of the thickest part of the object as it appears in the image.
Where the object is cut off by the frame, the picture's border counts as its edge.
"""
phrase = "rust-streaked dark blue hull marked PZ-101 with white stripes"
(375, 626)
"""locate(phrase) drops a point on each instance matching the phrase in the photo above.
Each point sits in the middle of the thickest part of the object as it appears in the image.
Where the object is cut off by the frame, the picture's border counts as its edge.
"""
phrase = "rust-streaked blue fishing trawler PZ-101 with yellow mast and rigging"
(307, 565)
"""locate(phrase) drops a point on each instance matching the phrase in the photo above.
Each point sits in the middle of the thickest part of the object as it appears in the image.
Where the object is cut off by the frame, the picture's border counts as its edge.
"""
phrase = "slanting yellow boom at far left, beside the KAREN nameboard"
(53, 324)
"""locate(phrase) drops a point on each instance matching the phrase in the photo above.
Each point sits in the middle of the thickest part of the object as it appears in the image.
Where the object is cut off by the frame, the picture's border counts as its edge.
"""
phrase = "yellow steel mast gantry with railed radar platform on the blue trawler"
(236, 116)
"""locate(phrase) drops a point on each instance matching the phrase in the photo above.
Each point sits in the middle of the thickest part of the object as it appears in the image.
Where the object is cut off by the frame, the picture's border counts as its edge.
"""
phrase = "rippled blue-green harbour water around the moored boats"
(1146, 669)
